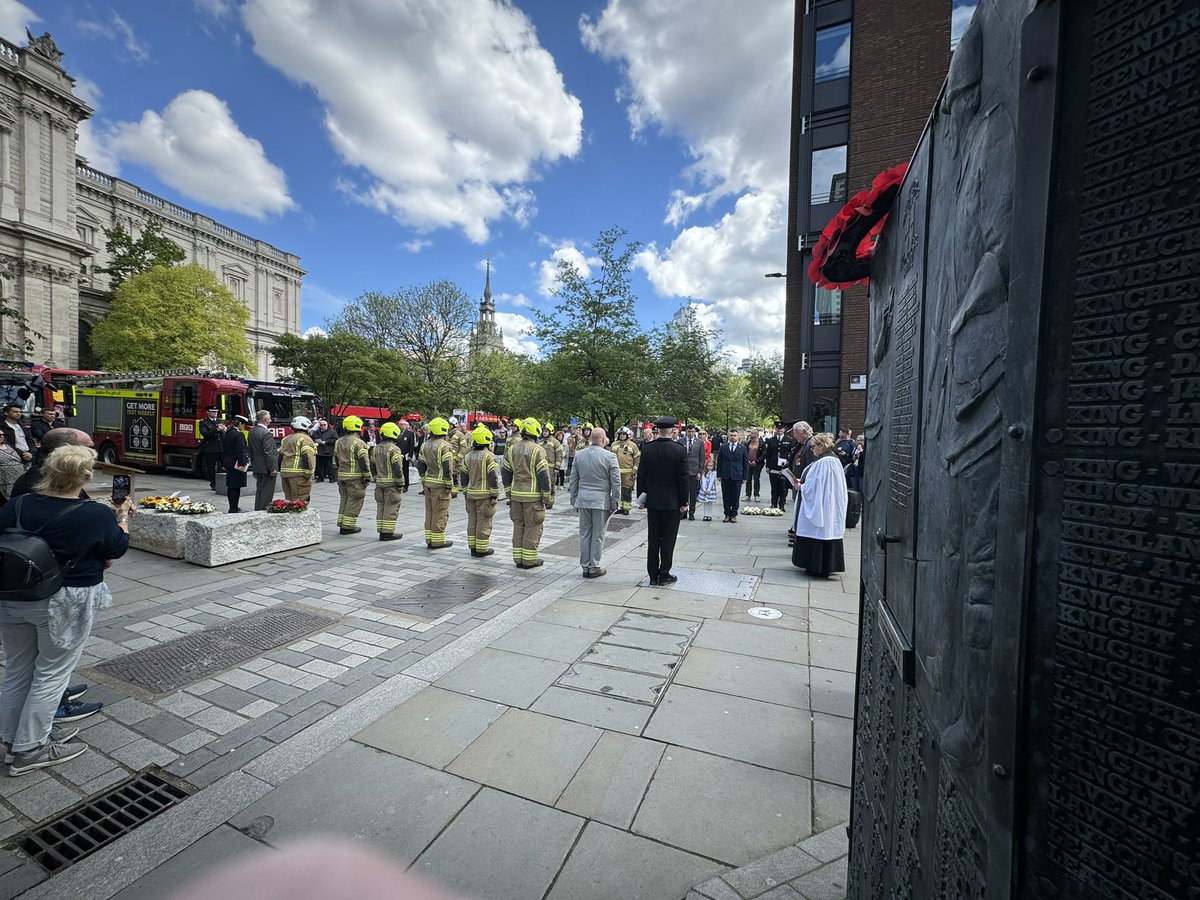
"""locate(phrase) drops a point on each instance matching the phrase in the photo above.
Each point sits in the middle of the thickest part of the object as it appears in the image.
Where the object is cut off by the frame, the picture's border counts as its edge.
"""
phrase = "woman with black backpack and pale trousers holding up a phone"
(45, 638)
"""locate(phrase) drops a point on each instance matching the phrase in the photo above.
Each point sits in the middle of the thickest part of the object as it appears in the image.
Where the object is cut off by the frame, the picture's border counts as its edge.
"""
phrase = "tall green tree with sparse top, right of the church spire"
(598, 359)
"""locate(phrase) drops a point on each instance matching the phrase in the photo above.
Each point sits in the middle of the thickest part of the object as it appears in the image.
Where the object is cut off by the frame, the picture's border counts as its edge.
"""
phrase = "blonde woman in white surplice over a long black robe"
(821, 513)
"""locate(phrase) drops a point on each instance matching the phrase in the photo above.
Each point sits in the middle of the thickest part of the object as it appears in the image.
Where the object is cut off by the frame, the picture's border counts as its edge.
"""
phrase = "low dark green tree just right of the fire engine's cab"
(347, 369)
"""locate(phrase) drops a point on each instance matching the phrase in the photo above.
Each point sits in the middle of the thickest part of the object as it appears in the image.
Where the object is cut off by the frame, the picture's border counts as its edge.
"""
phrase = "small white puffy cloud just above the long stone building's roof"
(197, 148)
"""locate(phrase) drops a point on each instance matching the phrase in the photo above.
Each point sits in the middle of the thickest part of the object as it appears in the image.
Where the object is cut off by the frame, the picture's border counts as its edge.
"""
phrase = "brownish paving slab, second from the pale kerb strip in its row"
(527, 754)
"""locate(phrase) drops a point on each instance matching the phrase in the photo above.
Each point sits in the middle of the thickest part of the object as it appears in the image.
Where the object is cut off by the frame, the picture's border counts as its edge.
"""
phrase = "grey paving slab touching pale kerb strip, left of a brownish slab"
(434, 727)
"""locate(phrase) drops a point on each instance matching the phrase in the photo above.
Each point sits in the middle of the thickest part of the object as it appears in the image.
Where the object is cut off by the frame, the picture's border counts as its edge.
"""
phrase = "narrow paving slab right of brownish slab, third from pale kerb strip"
(611, 783)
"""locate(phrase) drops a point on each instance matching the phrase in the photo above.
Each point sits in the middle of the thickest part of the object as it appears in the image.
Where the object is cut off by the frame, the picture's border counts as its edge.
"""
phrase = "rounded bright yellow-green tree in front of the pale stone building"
(173, 319)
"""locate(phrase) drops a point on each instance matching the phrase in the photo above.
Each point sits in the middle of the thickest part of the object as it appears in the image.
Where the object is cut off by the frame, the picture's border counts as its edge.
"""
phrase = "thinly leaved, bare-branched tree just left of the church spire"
(430, 325)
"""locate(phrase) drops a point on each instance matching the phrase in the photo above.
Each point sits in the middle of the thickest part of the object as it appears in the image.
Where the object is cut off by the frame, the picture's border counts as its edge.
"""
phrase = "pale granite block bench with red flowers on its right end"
(218, 539)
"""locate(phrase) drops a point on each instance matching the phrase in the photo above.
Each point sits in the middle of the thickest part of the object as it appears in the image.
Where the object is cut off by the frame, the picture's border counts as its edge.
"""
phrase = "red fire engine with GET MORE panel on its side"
(153, 418)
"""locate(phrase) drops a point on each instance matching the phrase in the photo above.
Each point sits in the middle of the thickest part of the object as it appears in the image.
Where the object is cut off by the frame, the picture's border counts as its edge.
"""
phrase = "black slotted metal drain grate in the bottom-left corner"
(82, 832)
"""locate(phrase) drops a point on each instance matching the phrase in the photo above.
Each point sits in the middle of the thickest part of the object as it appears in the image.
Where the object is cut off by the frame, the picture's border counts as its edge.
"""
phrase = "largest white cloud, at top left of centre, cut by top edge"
(446, 124)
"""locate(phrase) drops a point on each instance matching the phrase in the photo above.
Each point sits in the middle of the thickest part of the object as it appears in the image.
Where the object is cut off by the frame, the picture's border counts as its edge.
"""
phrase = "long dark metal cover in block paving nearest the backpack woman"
(193, 658)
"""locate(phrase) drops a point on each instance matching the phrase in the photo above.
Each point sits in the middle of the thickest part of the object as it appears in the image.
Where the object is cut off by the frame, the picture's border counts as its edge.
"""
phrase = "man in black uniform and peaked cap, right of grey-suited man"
(663, 478)
